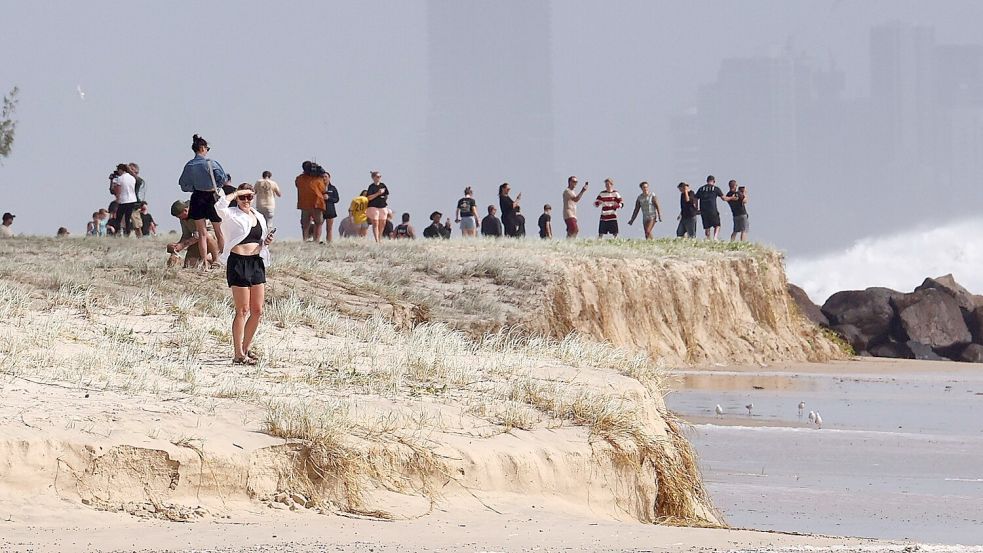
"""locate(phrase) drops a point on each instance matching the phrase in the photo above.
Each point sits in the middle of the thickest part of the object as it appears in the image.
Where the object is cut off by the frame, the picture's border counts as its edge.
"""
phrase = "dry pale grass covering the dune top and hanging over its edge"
(138, 328)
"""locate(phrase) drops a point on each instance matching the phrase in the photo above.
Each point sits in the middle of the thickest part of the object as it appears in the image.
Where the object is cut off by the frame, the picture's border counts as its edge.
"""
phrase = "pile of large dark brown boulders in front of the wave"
(938, 320)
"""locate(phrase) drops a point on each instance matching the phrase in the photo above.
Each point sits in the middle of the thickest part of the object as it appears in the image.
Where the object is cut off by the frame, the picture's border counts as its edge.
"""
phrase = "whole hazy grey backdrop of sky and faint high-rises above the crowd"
(360, 87)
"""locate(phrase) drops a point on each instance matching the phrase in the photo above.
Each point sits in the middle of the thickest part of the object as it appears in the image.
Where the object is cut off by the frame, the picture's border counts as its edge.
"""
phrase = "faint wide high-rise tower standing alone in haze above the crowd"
(490, 96)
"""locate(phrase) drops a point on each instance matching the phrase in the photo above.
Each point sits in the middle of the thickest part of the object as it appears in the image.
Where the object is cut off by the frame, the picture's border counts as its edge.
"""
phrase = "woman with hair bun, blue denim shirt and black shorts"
(203, 176)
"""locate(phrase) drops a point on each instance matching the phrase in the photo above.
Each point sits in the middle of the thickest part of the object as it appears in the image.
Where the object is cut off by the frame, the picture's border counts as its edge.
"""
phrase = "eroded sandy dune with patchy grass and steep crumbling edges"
(117, 396)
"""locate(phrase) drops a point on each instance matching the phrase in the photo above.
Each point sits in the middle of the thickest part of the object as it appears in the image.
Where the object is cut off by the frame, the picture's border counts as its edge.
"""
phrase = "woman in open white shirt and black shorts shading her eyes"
(245, 266)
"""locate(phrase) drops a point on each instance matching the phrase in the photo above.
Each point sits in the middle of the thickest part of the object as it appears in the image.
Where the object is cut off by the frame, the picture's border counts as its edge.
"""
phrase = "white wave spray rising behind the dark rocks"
(899, 261)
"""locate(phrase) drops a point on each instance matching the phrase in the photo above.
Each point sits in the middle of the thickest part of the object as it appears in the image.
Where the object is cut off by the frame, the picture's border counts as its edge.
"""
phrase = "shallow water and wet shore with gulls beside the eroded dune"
(899, 456)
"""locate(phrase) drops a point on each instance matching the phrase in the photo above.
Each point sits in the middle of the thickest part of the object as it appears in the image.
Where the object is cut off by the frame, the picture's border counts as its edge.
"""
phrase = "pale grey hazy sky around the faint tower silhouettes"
(271, 84)
